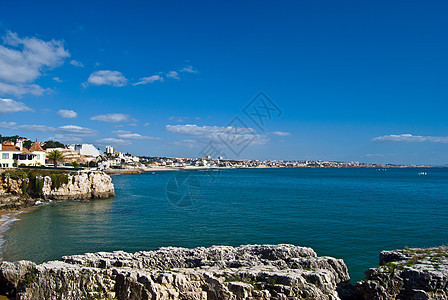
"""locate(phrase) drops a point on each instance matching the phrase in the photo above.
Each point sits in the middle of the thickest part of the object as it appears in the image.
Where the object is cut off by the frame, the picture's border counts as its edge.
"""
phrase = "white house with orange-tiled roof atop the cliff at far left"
(12, 156)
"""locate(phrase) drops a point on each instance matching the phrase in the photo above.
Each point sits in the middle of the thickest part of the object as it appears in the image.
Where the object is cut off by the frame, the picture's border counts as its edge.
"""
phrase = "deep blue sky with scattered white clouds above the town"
(354, 80)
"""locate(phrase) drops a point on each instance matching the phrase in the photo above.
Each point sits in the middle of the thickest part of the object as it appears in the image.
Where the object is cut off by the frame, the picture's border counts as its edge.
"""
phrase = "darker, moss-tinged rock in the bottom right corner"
(414, 273)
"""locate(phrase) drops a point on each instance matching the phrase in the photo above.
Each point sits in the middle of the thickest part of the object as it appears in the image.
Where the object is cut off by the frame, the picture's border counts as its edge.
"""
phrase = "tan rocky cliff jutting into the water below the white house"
(20, 190)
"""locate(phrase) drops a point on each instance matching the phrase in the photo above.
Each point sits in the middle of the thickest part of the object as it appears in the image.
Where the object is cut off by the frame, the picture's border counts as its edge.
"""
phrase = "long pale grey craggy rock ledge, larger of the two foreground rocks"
(218, 272)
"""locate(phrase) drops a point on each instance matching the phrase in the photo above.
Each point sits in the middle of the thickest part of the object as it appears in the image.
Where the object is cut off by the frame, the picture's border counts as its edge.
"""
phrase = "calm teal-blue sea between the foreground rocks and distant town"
(351, 214)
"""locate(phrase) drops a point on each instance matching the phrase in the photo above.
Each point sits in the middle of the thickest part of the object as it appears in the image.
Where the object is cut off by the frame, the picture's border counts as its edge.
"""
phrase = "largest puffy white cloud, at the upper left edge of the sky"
(22, 61)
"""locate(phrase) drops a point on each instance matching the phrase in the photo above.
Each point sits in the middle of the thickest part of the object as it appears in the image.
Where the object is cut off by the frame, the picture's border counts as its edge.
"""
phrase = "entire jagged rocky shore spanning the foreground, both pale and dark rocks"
(224, 272)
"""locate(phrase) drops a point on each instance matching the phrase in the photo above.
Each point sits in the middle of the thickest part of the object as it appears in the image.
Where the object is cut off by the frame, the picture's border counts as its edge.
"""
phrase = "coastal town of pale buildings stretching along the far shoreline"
(21, 152)
